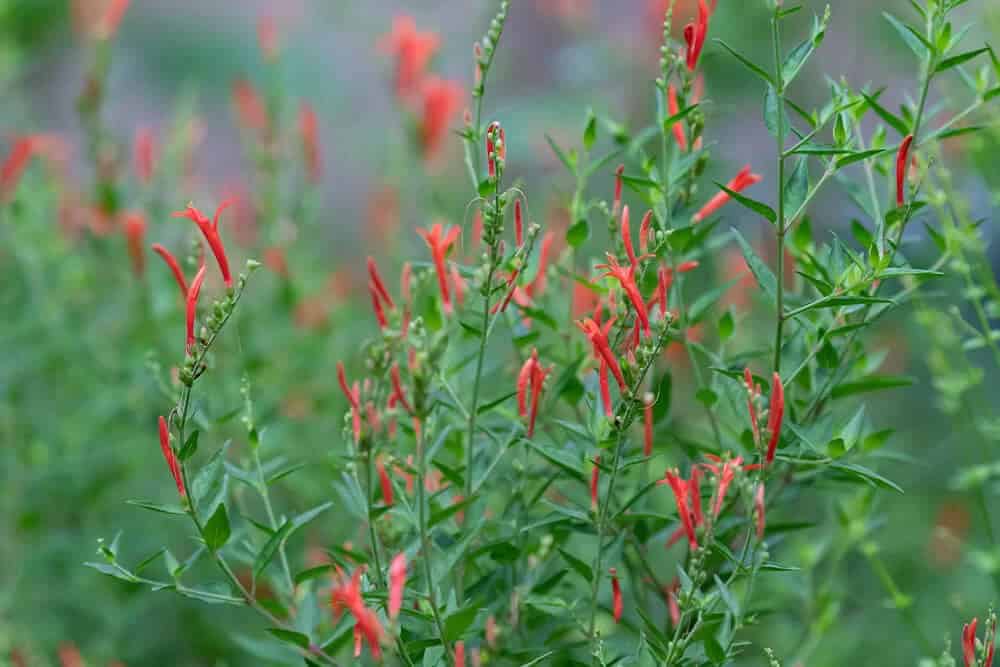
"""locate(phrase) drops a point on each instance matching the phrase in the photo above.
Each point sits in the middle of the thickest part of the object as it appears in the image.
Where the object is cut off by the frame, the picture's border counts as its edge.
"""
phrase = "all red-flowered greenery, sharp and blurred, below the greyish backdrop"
(634, 431)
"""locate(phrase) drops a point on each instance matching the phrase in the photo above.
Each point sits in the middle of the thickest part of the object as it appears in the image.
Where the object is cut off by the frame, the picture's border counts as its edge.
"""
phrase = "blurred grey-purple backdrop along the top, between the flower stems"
(558, 58)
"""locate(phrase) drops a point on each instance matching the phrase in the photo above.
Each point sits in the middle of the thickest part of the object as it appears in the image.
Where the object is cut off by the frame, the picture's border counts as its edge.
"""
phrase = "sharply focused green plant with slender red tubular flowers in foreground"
(562, 434)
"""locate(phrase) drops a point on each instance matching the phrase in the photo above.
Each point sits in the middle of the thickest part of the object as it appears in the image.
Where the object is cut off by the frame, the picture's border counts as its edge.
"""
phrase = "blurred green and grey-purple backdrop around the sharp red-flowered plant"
(78, 401)
